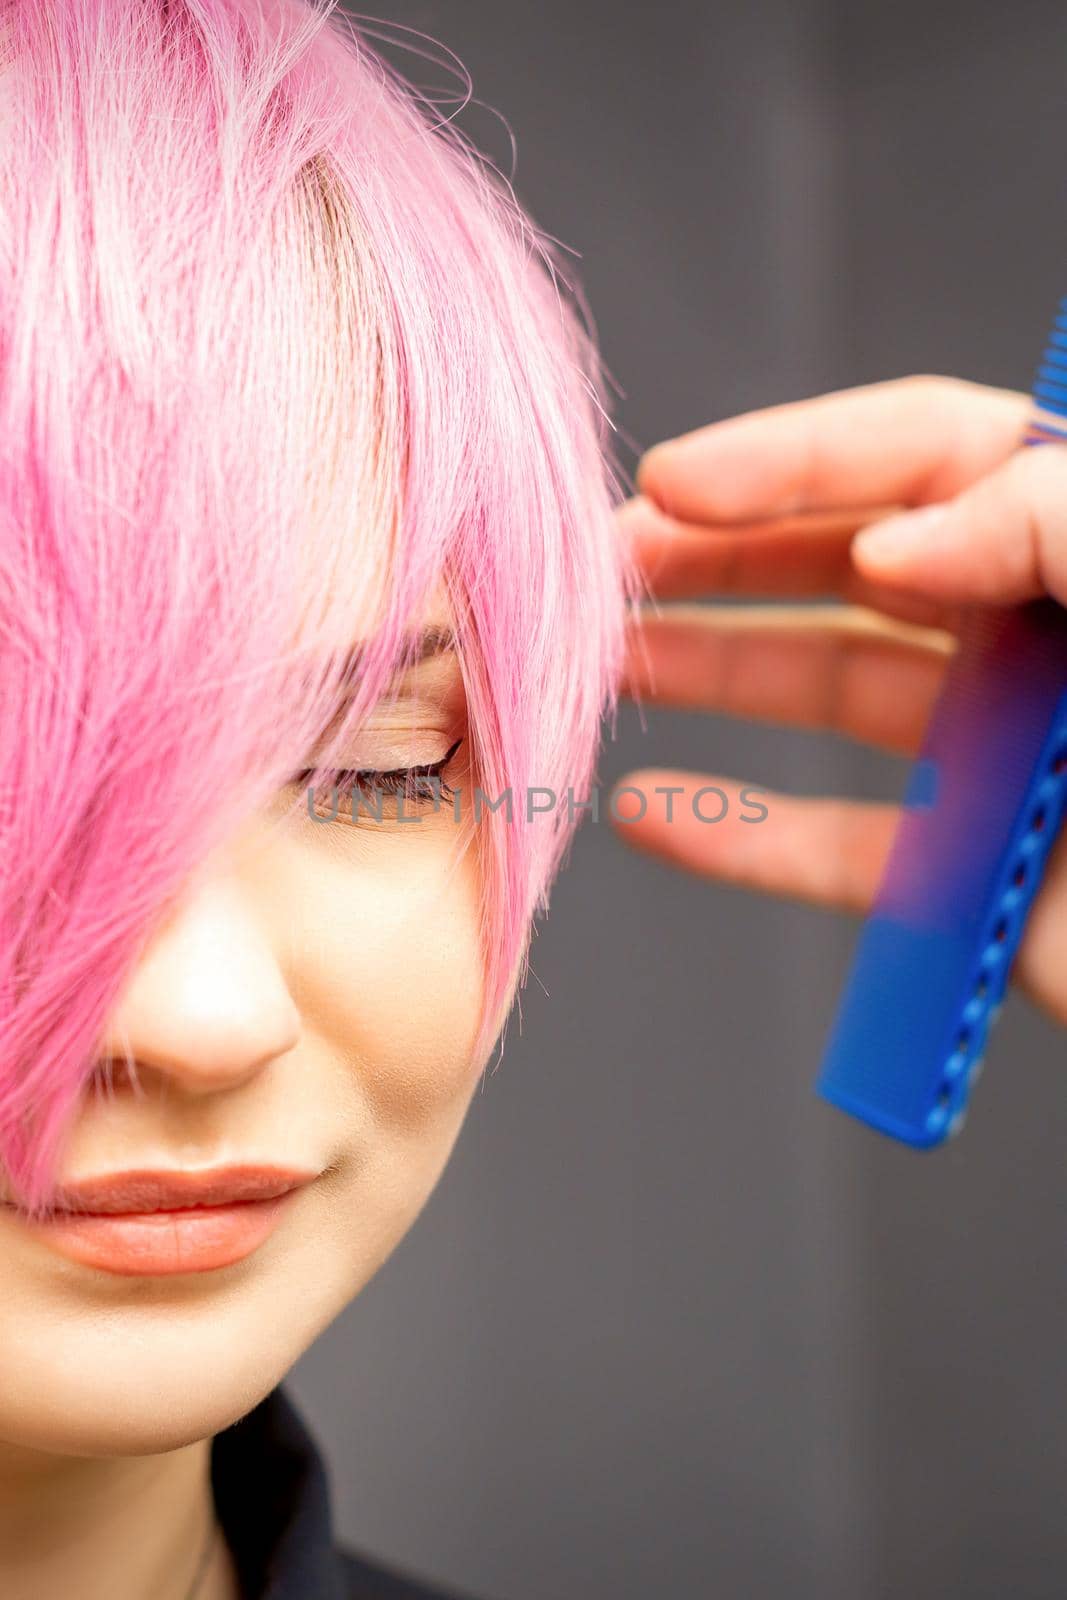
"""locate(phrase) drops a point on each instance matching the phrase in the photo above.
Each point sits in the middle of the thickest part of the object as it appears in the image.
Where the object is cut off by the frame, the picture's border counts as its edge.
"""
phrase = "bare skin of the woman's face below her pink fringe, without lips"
(313, 1006)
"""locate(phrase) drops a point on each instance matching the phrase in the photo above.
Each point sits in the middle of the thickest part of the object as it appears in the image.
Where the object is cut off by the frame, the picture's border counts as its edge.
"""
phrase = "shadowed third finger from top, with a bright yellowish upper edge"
(834, 668)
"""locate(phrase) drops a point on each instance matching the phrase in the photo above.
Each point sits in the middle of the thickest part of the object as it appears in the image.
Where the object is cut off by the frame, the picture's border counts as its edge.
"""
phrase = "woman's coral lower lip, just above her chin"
(158, 1244)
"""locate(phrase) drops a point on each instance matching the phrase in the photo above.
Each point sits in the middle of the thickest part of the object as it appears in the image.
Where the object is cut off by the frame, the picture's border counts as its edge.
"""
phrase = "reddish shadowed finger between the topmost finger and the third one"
(799, 556)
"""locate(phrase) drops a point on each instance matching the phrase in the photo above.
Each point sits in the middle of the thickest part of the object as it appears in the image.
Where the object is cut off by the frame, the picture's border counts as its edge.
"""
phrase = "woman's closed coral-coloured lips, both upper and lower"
(159, 1223)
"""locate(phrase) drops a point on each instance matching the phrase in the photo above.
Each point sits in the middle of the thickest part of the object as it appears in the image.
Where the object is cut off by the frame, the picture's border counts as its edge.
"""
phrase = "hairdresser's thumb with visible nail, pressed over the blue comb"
(1001, 542)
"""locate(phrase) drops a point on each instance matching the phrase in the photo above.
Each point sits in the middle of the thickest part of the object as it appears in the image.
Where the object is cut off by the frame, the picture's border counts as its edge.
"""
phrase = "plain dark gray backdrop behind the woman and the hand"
(671, 1324)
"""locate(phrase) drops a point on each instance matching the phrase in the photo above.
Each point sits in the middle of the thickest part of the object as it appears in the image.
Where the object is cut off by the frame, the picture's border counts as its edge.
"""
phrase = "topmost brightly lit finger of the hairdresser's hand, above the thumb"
(913, 441)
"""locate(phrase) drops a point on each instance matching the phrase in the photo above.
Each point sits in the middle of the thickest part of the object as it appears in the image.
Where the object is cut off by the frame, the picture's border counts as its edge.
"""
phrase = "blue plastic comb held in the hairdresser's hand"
(983, 807)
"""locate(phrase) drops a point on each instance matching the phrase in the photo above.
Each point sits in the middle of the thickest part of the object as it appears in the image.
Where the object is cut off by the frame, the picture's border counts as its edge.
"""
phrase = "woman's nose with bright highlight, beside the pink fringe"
(207, 1006)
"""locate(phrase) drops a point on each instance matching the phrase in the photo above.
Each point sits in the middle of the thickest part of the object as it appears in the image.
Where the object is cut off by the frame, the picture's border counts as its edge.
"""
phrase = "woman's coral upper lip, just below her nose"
(177, 1190)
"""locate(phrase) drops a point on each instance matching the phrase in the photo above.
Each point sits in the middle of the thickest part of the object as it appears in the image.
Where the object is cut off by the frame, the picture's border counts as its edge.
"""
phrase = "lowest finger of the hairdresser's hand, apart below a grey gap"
(815, 850)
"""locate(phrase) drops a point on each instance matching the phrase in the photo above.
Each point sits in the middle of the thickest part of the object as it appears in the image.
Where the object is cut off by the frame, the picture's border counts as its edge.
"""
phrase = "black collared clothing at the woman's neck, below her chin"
(273, 1500)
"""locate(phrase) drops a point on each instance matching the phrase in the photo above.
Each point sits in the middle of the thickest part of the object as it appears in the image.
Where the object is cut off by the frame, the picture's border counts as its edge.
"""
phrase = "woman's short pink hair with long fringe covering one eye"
(276, 346)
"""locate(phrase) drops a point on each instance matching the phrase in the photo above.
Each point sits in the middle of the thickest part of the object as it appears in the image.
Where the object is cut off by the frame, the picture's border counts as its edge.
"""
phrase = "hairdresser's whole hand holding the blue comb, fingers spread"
(772, 505)
